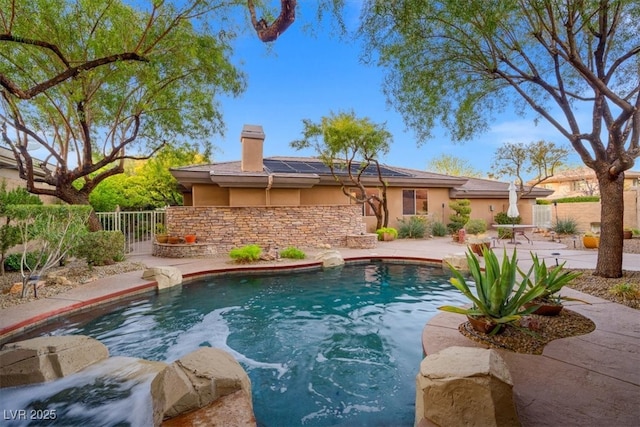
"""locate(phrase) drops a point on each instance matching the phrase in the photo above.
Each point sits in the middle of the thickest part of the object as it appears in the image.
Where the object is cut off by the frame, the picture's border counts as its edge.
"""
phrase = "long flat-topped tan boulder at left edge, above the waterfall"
(46, 358)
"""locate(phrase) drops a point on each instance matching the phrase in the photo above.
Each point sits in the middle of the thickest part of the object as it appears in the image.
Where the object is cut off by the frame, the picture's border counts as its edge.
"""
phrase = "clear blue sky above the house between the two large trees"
(307, 77)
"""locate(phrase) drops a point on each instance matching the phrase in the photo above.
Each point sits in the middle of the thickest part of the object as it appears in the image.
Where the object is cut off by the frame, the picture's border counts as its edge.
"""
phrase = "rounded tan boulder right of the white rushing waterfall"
(195, 381)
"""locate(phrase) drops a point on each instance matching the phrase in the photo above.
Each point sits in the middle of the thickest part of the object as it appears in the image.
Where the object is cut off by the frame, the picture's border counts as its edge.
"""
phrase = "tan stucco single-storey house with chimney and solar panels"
(276, 185)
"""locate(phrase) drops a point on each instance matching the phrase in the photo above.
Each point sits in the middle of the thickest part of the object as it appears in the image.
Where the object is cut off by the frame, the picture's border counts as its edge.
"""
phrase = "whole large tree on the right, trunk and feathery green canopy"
(461, 63)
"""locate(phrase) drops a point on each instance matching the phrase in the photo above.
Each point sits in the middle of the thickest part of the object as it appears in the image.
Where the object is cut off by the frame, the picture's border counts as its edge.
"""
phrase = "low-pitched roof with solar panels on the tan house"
(305, 172)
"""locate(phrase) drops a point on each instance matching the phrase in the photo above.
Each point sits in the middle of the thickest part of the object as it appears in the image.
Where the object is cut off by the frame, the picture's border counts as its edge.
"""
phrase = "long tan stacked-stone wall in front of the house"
(268, 226)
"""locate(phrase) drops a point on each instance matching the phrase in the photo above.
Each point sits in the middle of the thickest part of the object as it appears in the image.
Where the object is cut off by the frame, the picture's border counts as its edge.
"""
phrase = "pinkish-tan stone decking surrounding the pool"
(590, 380)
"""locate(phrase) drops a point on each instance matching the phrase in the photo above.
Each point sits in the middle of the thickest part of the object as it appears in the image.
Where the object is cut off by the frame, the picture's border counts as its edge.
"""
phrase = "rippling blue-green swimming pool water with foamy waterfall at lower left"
(322, 348)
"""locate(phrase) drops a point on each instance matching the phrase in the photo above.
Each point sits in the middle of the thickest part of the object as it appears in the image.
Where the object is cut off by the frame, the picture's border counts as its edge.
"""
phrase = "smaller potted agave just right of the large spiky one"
(552, 280)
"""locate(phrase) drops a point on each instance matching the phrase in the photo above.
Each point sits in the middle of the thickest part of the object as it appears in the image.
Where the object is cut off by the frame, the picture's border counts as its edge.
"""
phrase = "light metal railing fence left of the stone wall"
(139, 228)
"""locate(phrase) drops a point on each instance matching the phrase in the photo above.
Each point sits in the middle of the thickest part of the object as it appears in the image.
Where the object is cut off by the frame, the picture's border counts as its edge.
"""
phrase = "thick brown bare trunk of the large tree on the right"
(609, 262)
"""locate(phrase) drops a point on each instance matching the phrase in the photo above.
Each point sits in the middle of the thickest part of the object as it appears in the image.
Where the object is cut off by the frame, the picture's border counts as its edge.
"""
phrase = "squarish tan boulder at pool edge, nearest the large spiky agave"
(465, 386)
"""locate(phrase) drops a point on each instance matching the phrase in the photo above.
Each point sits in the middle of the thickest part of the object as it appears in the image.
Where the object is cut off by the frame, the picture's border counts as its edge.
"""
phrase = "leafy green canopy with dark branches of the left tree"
(93, 83)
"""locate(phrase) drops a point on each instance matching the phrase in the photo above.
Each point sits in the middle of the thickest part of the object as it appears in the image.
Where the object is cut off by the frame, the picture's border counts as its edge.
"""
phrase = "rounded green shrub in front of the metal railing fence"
(101, 247)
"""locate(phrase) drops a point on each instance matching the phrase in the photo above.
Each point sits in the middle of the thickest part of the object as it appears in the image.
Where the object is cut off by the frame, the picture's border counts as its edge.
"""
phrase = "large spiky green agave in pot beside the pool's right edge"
(500, 295)
